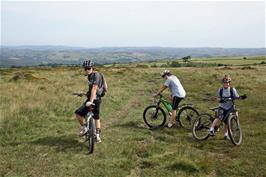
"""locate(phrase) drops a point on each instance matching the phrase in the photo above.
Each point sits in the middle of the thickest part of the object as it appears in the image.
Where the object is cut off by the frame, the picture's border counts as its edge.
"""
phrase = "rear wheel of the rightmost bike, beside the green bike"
(201, 126)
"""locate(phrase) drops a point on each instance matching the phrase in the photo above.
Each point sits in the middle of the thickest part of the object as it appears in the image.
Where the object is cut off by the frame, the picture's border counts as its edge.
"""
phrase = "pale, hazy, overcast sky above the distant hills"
(239, 24)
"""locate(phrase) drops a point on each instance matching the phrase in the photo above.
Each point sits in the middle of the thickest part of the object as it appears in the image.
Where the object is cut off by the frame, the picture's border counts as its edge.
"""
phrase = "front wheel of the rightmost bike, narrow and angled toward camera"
(234, 130)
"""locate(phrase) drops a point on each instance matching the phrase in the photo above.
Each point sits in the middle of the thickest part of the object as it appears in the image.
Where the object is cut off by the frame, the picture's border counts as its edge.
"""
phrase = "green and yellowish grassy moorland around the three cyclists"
(38, 132)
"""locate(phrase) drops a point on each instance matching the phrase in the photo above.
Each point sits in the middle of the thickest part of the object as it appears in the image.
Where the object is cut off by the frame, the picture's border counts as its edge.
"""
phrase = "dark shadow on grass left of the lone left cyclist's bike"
(61, 144)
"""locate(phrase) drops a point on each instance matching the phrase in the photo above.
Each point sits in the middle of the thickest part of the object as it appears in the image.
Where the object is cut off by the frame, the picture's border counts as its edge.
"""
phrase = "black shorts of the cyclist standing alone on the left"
(83, 110)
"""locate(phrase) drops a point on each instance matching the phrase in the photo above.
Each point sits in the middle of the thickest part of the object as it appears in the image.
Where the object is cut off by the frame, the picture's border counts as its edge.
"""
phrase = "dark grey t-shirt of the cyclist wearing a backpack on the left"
(94, 79)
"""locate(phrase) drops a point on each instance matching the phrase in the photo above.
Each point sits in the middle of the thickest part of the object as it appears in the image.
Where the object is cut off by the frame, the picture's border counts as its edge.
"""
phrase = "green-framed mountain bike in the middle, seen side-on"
(155, 117)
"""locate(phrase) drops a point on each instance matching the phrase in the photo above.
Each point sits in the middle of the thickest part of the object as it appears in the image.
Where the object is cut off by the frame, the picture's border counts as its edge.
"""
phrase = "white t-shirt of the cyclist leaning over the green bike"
(175, 87)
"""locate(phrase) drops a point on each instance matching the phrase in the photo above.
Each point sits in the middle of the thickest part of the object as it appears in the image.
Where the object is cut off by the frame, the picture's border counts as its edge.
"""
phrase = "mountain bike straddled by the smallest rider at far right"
(204, 121)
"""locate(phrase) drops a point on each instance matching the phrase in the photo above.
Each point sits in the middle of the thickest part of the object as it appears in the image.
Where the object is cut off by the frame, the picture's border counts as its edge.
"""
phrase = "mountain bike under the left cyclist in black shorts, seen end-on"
(90, 135)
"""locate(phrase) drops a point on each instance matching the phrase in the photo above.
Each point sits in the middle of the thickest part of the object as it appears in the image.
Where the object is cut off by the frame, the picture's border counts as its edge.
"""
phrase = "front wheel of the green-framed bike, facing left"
(154, 116)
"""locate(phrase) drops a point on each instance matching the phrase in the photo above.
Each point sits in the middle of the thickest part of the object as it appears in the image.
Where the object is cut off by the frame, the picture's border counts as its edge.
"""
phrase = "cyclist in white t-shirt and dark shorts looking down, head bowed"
(177, 92)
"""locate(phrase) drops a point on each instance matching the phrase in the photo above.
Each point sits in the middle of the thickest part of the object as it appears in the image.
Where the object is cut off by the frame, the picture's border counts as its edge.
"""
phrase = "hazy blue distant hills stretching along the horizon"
(36, 55)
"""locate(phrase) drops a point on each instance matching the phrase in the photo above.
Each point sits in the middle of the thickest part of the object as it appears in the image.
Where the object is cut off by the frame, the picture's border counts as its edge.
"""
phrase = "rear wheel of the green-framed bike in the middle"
(186, 116)
